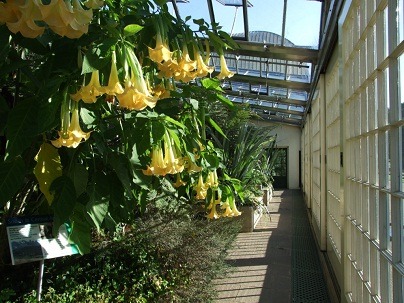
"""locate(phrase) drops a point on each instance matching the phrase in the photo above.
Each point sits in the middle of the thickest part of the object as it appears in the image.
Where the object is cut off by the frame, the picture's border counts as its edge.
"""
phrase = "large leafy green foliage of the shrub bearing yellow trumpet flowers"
(102, 184)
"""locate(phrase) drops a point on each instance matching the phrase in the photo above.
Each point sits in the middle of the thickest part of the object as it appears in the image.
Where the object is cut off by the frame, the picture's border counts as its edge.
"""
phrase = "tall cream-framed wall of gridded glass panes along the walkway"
(363, 188)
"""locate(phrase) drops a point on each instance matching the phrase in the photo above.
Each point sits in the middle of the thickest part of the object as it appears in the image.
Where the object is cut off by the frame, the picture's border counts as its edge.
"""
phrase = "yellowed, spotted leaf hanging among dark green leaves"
(47, 169)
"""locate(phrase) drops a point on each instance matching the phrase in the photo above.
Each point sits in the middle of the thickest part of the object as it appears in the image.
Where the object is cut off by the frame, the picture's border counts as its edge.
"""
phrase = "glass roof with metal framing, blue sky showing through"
(279, 41)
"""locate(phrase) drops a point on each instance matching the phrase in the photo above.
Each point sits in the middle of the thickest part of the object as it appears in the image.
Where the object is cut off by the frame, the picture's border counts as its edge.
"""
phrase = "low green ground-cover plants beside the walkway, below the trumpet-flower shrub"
(162, 258)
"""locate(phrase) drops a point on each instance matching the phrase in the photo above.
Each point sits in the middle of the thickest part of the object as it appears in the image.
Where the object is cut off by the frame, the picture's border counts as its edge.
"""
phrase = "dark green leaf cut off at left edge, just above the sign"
(11, 178)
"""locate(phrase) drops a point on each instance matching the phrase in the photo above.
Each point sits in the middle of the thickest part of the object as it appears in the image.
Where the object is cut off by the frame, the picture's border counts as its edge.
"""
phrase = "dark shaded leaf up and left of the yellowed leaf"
(21, 126)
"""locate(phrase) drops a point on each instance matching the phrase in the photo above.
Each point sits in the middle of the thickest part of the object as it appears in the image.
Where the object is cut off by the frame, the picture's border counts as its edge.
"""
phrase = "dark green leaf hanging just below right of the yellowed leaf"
(64, 200)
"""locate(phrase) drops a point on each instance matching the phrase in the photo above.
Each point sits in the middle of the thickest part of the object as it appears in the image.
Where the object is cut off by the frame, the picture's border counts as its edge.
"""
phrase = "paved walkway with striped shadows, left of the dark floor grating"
(263, 260)
